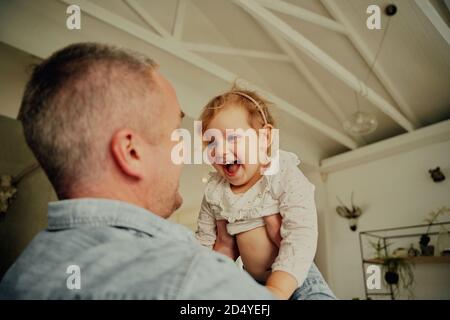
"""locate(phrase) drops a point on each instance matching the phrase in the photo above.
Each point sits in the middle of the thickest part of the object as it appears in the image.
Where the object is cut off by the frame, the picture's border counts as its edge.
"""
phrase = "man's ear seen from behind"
(127, 151)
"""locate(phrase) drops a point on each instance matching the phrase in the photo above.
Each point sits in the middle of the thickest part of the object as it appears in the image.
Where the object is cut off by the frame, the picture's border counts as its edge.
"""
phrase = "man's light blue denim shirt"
(121, 252)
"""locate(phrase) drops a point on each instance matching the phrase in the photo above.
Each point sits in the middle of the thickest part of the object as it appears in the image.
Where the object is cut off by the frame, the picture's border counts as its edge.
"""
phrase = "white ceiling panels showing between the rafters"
(415, 58)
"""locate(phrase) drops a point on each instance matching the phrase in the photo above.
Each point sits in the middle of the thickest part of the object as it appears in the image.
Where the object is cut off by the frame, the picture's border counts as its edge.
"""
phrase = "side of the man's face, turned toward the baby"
(164, 174)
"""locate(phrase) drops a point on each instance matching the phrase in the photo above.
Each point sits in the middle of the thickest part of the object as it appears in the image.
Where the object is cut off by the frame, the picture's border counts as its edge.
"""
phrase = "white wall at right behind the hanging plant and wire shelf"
(395, 191)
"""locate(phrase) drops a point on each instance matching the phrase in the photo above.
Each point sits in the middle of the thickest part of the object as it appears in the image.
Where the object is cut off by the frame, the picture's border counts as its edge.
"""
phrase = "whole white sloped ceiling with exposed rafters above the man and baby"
(412, 69)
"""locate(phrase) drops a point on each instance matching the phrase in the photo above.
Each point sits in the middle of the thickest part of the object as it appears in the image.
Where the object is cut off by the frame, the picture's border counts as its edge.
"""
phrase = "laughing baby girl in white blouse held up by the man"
(265, 216)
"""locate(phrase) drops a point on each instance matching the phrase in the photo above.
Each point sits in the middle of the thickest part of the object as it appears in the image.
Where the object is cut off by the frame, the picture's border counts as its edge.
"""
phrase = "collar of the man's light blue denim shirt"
(75, 213)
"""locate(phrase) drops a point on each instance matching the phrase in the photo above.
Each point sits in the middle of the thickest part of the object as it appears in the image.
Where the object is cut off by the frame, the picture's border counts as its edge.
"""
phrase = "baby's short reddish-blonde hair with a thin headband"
(256, 106)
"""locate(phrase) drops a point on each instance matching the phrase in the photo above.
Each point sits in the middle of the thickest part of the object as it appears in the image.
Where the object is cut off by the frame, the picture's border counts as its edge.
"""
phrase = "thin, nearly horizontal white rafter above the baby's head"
(209, 48)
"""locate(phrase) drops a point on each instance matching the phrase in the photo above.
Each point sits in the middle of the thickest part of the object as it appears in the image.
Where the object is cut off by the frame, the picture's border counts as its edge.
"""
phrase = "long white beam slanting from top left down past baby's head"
(174, 48)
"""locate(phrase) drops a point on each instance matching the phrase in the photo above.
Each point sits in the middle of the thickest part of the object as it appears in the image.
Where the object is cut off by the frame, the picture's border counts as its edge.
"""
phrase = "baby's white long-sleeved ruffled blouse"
(282, 189)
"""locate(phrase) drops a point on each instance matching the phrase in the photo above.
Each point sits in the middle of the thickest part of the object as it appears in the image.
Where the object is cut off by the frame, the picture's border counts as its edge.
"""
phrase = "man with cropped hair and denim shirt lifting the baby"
(99, 121)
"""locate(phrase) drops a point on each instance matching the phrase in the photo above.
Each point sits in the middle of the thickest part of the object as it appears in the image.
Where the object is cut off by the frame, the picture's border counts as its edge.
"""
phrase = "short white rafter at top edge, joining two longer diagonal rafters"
(303, 14)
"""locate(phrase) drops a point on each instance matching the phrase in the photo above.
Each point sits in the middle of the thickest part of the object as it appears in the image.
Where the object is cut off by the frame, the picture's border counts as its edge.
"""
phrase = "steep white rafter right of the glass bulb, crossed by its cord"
(368, 56)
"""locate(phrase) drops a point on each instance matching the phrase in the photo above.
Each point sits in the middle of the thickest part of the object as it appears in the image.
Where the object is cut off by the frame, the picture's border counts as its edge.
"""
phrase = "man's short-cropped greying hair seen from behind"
(75, 101)
